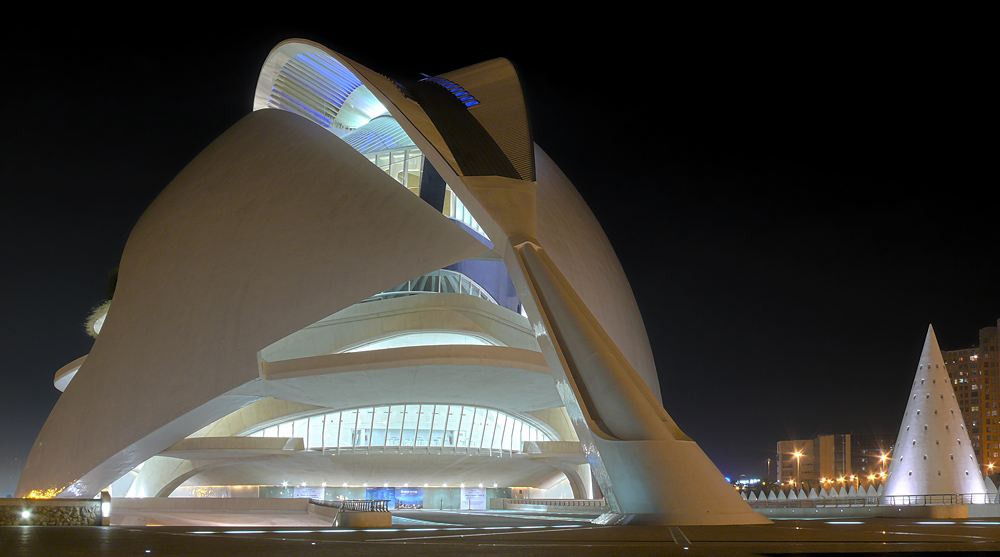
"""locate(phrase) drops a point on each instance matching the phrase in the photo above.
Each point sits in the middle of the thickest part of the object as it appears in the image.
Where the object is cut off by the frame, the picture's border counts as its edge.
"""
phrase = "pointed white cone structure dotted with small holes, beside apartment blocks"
(933, 453)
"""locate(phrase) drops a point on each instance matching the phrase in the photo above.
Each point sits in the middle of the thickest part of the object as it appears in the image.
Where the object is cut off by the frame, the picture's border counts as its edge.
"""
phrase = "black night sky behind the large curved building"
(794, 200)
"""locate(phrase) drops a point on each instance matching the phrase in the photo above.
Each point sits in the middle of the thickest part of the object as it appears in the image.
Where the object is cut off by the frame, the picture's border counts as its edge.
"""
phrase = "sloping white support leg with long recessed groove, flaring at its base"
(645, 465)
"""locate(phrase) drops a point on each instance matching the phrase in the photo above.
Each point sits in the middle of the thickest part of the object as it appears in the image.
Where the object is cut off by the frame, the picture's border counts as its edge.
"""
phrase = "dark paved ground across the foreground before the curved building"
(437, 533)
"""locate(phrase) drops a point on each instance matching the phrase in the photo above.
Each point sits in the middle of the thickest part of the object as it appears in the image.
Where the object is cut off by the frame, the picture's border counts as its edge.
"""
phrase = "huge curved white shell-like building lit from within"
(374, 282)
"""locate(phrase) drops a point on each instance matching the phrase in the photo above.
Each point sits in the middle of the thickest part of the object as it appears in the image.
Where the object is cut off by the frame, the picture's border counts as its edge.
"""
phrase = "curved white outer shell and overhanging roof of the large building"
(279, 224)
